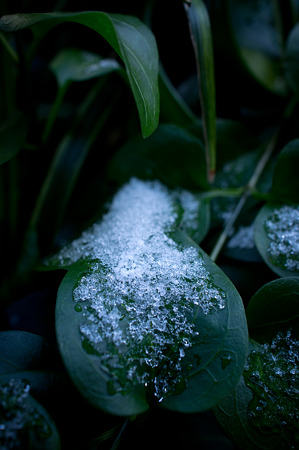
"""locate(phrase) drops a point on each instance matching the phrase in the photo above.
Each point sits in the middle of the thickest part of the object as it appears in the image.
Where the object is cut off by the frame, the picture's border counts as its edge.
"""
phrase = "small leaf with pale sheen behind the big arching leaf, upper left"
(72, 64)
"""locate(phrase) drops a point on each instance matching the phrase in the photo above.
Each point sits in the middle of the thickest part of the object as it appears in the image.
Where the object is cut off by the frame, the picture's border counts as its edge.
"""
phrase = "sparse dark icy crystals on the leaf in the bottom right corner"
(272, 375)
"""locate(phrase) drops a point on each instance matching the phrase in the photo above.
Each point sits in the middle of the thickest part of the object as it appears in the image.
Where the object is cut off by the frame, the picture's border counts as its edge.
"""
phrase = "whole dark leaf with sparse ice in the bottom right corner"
(262, 413)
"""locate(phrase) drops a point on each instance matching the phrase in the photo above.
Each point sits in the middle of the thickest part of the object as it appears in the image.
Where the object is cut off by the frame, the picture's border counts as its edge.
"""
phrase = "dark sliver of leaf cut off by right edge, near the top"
(291, 59)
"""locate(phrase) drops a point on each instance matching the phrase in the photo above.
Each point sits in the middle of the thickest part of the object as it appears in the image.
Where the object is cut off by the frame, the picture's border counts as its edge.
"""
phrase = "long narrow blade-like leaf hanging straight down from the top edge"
(201, 35)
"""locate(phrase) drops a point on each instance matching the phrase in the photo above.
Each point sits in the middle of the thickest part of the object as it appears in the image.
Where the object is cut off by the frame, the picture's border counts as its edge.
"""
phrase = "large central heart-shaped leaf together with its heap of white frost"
(146, 317)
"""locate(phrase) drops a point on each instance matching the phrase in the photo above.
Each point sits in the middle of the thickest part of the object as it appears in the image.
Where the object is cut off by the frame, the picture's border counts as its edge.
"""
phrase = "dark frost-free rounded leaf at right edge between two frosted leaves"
(274, 306)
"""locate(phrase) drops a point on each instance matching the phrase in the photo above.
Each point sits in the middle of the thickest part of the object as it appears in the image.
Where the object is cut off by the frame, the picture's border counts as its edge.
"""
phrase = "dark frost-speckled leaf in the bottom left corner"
(24, 422)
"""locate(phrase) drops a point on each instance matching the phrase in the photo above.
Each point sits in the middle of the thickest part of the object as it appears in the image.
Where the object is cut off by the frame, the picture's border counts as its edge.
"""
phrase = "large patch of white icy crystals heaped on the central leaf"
(142, 291)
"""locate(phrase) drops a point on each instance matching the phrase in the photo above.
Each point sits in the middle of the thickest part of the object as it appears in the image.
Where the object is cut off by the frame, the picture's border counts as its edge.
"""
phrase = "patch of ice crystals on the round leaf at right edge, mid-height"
(282, 228)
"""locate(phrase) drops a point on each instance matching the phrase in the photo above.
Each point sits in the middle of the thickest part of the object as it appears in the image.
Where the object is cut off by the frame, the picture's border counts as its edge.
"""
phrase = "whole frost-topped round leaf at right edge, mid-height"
(277, 238)
